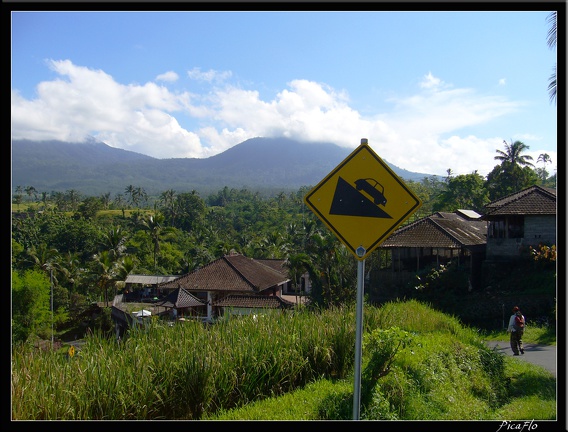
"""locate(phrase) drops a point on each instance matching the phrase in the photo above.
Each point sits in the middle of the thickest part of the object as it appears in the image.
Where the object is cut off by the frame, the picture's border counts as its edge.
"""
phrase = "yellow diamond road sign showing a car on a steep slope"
(362, 201)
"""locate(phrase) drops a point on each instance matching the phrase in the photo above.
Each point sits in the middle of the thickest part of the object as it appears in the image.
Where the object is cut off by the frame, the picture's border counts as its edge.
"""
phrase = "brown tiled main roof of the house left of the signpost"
(235, 273)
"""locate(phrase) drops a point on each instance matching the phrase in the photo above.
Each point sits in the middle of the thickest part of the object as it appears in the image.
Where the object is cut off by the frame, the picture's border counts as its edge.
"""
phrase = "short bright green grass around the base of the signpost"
(425, 384)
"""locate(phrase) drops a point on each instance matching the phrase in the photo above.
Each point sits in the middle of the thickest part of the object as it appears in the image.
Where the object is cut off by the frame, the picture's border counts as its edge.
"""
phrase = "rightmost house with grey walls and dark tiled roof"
(520, 220)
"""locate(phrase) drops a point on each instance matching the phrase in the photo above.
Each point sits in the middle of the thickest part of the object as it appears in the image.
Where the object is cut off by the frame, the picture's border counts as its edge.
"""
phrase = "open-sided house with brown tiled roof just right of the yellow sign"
(438, 239)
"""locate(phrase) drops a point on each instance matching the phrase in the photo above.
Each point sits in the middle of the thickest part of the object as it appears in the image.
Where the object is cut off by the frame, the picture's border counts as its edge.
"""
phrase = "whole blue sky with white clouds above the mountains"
(430, 90)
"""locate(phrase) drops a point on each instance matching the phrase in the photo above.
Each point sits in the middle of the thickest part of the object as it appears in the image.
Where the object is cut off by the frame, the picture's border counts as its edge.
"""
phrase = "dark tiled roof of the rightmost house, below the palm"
(535, 200)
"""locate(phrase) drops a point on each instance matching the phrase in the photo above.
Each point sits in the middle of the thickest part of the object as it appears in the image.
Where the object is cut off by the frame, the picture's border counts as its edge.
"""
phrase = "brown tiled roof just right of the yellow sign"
(440, 230)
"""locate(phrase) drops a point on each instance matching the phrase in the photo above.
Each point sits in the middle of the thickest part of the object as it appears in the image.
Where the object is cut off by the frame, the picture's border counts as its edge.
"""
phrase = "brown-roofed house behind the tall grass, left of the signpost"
(234, 285)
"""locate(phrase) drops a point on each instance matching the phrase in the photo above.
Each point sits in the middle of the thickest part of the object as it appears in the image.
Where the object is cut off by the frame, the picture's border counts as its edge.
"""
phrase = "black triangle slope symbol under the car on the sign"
(348, 201)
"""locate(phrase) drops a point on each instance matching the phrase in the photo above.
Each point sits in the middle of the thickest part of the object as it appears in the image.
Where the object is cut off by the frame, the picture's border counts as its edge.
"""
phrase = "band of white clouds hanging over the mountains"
(420, 133)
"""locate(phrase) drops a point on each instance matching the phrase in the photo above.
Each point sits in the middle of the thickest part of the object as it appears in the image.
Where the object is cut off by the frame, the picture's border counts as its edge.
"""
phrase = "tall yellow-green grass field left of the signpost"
(183, 371)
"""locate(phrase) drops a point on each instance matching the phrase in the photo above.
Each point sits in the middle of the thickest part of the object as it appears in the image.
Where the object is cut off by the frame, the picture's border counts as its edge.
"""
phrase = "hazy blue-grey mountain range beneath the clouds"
(267, 165)
